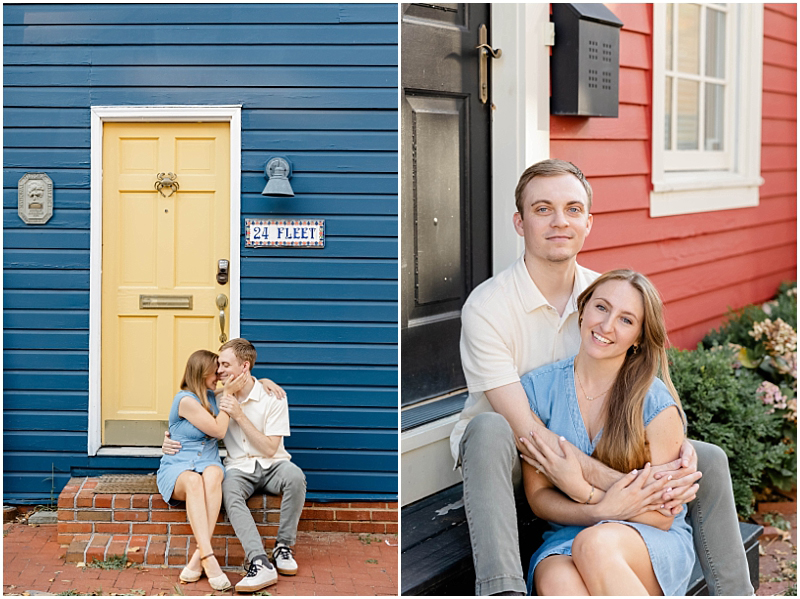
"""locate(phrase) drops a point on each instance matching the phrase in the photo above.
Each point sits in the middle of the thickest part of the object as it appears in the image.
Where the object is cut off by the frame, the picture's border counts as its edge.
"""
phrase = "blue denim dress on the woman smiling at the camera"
(551, 395)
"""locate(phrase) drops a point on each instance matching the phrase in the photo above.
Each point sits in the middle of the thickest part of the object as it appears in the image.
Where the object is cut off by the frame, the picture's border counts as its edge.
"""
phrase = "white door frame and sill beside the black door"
(520, 137)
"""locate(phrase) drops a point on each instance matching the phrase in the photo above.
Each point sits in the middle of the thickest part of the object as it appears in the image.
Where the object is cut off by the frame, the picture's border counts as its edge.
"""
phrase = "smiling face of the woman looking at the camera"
(612, 320)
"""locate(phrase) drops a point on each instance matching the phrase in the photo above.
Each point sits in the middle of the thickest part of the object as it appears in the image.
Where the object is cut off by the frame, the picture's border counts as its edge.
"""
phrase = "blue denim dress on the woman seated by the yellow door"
(197, 452)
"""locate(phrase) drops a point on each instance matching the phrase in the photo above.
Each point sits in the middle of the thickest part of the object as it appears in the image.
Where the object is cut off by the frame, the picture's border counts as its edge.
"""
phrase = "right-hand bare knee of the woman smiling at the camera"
(612, 559)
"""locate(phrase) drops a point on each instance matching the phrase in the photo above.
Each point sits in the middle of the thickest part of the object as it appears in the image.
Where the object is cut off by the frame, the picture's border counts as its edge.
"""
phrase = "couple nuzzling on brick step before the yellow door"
(253, 418)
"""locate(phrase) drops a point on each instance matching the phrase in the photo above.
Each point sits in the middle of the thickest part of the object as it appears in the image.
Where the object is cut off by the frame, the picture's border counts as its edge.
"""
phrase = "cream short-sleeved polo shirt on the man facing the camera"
(507, 329)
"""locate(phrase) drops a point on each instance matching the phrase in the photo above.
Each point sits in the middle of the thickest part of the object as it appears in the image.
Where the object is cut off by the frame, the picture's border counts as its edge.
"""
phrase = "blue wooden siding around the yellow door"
(318, 84)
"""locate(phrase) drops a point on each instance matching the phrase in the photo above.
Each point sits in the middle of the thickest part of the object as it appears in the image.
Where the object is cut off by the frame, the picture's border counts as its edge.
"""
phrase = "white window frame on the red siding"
(718, 188)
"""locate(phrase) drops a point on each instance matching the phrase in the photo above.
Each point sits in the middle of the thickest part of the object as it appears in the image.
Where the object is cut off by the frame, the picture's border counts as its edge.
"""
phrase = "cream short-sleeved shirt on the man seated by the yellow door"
(268, 414)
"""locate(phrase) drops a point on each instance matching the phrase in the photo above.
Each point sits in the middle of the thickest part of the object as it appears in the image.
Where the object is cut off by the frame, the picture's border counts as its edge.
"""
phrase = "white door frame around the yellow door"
(149, 114)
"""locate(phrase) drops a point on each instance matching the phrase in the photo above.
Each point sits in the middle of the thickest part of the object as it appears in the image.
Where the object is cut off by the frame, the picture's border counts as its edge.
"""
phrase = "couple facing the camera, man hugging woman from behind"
(562, 367)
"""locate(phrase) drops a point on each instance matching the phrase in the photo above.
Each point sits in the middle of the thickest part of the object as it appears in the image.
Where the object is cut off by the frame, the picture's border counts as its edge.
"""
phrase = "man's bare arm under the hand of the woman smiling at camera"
(511, 402)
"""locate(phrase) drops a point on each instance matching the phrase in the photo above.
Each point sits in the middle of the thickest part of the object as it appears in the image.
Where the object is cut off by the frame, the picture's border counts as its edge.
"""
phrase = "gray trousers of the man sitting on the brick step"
(282, 478)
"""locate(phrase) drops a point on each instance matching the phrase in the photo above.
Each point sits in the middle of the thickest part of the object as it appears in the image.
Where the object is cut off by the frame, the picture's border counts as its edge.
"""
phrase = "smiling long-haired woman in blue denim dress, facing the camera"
(607, 402)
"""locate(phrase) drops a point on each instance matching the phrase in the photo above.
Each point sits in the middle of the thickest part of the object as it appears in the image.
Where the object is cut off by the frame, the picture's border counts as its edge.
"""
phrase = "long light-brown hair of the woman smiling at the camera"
(623, 445)
